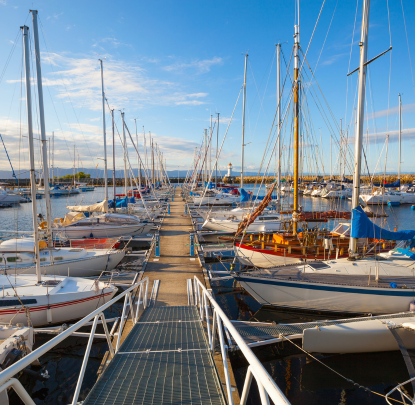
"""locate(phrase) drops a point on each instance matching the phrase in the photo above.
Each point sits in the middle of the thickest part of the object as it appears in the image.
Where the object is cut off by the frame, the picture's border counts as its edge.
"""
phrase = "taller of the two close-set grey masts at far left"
(42, 131)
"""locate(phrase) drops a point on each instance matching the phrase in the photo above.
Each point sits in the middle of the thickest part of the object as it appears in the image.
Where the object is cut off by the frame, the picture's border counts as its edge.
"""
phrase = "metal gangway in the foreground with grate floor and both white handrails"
(167, 357)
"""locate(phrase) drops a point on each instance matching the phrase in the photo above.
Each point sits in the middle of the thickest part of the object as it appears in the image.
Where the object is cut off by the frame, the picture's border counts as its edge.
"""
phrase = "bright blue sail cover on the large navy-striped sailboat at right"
(363, 227)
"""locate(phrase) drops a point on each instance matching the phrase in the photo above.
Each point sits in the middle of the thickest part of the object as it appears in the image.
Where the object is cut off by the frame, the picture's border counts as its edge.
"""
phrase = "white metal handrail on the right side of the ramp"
(266, 385)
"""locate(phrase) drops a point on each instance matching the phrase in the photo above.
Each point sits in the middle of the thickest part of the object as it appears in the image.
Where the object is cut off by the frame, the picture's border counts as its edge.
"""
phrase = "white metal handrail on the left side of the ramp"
(6, 376)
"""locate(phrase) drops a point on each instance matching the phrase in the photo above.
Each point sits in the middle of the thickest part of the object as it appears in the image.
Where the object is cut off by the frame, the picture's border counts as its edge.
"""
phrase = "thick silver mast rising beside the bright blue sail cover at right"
(360, 113)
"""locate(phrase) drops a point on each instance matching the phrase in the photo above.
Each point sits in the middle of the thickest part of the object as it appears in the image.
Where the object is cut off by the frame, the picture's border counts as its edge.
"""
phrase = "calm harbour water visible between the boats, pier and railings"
(302, 380)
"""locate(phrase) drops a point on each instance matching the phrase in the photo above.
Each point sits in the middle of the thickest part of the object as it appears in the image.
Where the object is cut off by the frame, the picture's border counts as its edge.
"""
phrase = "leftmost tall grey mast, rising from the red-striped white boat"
(31, 149)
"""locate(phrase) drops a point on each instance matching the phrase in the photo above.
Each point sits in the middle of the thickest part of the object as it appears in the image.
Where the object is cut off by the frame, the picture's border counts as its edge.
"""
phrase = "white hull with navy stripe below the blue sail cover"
(326, 297)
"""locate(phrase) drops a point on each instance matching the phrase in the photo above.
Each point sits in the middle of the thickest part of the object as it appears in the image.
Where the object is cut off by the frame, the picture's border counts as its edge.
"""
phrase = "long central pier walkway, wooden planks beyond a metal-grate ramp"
(169, 355)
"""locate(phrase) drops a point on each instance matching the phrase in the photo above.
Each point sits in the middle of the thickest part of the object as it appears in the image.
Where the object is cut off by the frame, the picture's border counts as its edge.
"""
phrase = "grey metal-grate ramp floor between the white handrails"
(165, 359)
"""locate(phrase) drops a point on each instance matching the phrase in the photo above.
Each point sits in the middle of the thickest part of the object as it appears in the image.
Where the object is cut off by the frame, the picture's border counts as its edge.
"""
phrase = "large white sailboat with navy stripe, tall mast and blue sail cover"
(349, 285)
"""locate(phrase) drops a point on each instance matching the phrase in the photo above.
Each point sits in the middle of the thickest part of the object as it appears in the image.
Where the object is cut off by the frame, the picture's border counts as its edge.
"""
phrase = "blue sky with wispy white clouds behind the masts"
(171, 65)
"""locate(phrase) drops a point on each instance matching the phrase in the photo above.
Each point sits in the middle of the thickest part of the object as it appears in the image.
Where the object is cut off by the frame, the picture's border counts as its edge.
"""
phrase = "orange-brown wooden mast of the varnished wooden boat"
(296, 119)
